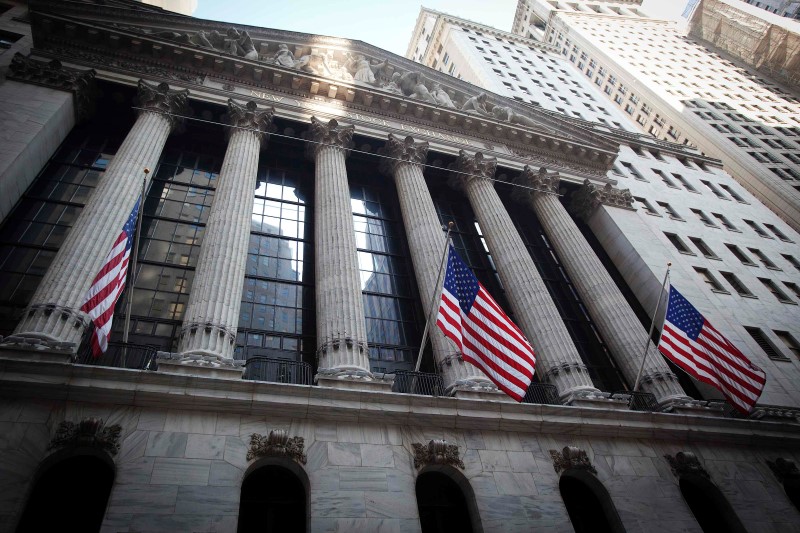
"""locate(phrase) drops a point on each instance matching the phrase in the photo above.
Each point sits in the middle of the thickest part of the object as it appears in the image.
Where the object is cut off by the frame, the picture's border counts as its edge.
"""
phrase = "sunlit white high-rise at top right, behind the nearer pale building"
(727, 111)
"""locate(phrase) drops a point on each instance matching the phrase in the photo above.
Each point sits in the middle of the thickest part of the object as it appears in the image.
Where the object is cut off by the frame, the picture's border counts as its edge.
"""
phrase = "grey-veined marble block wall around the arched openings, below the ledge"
(181, 470)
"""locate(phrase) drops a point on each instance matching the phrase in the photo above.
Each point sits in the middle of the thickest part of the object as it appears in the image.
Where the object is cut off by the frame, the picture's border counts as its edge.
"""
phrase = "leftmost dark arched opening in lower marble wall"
(69, 494)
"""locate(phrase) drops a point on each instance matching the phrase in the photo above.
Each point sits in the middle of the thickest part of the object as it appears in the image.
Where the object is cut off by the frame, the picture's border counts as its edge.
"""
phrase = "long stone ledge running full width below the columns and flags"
(67, 382)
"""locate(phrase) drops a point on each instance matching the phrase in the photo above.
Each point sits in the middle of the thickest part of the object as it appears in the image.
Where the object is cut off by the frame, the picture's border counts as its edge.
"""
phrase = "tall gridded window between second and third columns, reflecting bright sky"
(276, 318)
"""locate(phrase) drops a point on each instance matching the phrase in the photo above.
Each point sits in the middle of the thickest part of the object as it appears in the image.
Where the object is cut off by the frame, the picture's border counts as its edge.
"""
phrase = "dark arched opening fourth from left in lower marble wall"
(588, 503)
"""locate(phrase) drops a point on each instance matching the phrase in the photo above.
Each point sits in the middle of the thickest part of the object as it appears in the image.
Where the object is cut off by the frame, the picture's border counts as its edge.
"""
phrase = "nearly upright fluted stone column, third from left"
(342, 354)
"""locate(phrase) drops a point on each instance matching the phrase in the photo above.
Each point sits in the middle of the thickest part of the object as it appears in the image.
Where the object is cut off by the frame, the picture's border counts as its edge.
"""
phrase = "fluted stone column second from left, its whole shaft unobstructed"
(212, 314)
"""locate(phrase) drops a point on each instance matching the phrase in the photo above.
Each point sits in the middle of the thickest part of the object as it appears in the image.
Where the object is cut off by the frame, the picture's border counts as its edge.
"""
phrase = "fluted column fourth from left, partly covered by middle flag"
(426, 243)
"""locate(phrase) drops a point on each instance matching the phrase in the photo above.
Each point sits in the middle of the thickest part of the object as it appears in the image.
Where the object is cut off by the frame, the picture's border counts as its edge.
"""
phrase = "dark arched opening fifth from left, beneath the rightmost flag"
(709, 506)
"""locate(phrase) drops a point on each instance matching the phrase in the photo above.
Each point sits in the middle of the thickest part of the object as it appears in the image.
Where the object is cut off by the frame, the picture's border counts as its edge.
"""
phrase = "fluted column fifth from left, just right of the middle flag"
(557, 359)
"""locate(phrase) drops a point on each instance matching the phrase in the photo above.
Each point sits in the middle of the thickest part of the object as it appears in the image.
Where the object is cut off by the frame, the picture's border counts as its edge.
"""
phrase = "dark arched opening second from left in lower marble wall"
(273, 500)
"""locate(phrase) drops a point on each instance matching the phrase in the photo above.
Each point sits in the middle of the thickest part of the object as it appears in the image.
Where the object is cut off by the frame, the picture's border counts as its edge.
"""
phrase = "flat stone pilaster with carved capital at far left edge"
(40, 103)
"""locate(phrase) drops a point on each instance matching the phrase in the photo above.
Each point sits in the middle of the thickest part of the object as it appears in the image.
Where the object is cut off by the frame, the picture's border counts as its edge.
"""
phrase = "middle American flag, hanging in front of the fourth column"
(486, 337)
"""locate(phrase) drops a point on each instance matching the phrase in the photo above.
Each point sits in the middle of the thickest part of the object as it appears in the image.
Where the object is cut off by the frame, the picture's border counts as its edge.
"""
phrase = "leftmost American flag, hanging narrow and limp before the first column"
(108, 285)
